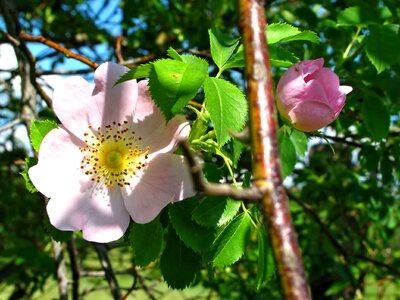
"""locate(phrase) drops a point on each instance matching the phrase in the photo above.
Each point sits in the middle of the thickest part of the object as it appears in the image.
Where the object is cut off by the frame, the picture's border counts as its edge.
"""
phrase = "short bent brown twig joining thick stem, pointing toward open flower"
(215, 189)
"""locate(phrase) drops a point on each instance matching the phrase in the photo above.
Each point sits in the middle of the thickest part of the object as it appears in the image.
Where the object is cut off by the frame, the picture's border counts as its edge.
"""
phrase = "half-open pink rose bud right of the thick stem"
(310, 96)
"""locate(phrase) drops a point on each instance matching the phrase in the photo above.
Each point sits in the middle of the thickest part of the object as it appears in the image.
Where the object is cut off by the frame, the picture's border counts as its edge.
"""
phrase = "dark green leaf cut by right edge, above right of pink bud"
(383, 37)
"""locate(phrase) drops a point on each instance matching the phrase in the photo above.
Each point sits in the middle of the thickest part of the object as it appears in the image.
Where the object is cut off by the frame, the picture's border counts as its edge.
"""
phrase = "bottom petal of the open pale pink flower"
(99, 213)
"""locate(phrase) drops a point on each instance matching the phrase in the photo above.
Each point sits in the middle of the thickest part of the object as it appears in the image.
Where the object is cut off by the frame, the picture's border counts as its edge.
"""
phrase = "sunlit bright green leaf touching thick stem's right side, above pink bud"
(283, 32)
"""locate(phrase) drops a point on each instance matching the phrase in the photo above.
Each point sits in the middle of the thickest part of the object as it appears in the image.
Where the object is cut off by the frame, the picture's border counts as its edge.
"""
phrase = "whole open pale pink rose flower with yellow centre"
(111, 158)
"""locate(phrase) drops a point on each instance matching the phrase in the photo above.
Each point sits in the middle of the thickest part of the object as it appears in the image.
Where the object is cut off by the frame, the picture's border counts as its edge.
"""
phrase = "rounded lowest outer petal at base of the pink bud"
(311, 115)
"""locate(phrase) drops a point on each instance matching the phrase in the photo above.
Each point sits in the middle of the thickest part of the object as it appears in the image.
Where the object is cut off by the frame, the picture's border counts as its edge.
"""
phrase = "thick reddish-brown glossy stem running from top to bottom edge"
(266, 166)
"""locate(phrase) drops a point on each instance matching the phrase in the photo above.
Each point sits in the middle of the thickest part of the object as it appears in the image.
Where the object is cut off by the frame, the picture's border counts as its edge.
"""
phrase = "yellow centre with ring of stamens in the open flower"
(113, 154)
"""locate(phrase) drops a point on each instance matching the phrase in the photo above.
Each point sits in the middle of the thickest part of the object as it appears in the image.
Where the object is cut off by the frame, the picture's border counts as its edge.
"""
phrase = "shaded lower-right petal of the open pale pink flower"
(166, 179)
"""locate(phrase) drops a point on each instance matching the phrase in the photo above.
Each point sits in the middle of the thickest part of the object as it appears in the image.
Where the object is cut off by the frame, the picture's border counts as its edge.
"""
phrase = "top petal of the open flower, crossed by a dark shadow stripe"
(78, 103)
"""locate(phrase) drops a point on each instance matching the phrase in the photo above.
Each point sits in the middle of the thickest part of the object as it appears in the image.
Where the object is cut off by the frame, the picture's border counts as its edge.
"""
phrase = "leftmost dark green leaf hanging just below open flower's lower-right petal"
(146, 241)
